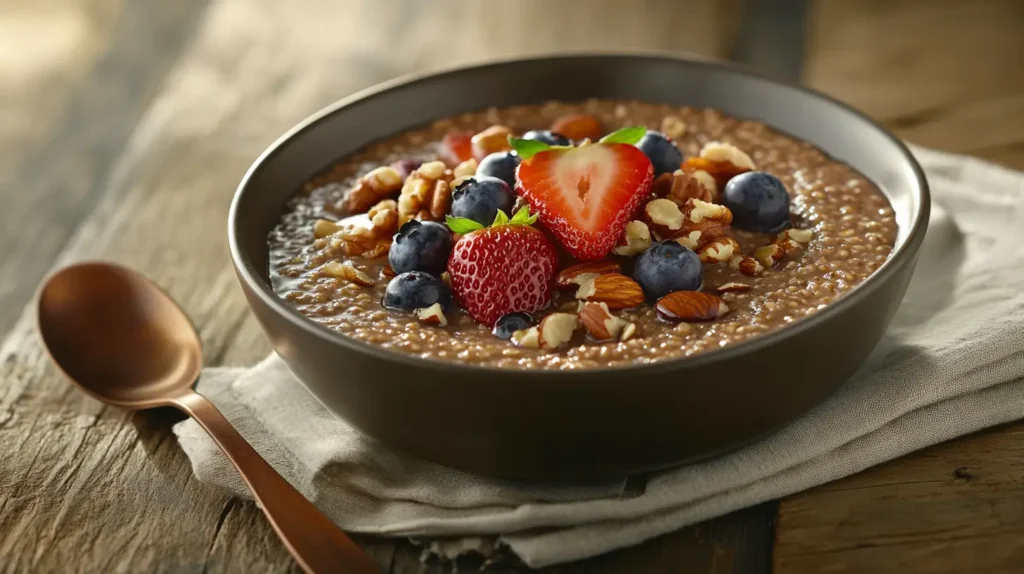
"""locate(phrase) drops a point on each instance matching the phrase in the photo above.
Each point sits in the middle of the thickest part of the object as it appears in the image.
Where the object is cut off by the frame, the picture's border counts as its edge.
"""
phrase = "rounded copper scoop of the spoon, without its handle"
(118, 336)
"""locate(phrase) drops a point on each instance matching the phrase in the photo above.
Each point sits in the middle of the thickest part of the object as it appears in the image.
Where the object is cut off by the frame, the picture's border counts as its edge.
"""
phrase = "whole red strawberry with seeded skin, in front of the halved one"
(507, 268)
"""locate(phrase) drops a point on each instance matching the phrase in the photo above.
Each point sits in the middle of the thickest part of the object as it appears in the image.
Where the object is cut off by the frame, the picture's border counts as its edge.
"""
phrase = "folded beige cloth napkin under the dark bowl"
(953, 363)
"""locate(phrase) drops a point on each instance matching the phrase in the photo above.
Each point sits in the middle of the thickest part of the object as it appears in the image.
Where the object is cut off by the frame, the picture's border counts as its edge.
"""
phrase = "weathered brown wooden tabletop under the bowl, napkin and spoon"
(129, 123)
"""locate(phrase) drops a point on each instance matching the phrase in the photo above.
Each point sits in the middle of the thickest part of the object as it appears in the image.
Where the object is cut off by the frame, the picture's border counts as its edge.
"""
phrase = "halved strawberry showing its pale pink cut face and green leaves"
(585, 196)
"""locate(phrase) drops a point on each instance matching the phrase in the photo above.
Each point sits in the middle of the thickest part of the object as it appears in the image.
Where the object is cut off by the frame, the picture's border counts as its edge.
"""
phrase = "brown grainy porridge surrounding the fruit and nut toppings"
(854, 228)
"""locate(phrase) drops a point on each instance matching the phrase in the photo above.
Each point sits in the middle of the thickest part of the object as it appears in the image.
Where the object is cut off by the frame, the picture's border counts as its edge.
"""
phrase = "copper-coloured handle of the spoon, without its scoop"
(316, 543)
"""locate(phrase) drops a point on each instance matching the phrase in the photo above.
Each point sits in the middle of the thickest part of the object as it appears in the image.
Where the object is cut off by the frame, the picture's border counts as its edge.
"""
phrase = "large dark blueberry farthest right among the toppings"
(758, 202)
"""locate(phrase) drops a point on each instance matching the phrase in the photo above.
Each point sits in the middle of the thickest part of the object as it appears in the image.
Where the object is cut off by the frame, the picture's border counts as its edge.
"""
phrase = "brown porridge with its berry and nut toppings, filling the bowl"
(578, 236)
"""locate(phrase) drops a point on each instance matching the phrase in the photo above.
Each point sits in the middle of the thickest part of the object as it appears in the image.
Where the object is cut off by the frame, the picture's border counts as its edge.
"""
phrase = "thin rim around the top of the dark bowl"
(265, 291)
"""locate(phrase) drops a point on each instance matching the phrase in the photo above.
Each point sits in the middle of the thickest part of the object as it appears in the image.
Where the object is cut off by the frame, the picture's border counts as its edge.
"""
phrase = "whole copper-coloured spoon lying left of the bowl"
(125, 342)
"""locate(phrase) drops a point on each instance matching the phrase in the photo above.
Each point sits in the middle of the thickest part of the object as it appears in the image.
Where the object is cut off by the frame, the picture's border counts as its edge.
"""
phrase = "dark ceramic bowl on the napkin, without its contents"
(549, 424)
